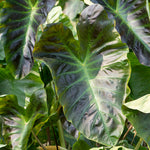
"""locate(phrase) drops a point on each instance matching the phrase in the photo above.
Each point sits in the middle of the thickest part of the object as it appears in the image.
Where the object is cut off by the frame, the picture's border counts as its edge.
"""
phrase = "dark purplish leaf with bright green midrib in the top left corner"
(20, 19)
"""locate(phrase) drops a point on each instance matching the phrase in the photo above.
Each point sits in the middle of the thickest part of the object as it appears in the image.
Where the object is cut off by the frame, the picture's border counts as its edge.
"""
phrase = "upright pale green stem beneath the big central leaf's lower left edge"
(61, 134)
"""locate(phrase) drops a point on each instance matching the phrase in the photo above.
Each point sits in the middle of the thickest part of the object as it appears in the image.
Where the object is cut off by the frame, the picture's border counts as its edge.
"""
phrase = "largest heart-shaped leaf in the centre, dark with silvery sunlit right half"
(90, 76)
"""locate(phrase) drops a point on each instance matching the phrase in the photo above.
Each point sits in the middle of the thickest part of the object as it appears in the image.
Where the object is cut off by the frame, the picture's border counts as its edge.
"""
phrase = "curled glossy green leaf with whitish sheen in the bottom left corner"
(21, 120)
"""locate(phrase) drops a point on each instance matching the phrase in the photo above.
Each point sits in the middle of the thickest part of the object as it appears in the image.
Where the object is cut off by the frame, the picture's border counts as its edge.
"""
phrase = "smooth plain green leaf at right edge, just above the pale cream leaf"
(139, 82)
